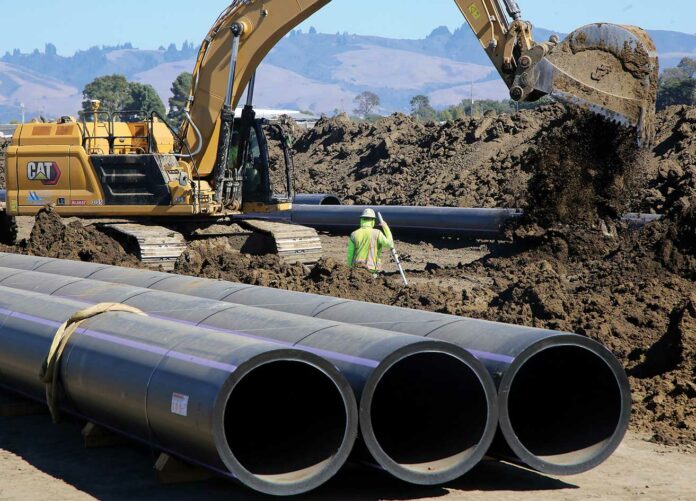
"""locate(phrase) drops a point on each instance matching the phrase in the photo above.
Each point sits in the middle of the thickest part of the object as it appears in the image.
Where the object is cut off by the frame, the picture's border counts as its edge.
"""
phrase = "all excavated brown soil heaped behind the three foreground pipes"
(571, 265)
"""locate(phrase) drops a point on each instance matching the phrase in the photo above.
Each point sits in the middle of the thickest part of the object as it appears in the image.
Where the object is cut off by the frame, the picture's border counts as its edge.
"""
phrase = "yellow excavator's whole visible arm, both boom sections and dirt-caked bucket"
(608, 69)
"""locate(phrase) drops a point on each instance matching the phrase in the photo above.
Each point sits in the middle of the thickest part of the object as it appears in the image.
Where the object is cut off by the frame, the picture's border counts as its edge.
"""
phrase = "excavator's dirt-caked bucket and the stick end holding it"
(608, 69)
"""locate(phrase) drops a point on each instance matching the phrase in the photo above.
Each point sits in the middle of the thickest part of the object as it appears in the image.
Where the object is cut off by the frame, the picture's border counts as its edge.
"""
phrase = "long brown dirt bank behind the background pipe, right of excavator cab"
(398, 160)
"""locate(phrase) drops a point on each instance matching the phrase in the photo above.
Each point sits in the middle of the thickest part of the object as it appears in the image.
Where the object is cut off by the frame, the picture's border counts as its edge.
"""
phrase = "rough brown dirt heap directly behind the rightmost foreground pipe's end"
(611, 289)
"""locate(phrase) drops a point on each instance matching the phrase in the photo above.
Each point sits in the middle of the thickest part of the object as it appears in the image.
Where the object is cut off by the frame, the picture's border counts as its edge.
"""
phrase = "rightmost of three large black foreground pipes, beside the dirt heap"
(564, 399)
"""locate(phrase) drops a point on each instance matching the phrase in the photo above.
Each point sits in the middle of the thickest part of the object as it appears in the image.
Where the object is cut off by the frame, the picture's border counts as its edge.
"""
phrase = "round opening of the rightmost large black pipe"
(565, 405)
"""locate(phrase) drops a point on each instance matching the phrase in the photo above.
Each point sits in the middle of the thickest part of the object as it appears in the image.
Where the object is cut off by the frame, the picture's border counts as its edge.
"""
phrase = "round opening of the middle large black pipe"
(429, 412)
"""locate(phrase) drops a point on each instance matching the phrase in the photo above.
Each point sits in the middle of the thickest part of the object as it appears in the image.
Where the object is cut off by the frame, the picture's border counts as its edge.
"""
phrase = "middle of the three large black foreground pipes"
(428, 409)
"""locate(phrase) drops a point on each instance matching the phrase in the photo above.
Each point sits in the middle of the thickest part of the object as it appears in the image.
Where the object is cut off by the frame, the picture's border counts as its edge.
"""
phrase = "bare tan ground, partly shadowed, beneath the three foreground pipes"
(42, 461)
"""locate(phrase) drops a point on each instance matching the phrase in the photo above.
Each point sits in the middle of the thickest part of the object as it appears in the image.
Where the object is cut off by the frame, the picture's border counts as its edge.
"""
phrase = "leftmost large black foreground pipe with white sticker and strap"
(191, 392)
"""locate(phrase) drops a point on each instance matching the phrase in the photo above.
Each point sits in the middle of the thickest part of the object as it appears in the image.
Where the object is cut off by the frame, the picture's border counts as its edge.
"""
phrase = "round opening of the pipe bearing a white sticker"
(285, 421)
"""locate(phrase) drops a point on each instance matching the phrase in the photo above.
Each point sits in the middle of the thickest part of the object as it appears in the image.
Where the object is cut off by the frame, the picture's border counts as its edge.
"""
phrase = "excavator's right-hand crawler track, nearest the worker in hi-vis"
(293, 243)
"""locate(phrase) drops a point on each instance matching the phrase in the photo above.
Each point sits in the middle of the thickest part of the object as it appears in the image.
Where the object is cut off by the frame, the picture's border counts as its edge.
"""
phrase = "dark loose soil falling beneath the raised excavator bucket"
(584, 171)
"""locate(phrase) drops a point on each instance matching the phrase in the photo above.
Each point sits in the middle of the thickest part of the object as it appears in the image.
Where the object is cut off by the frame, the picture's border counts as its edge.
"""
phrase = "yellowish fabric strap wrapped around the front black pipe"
(50, 369)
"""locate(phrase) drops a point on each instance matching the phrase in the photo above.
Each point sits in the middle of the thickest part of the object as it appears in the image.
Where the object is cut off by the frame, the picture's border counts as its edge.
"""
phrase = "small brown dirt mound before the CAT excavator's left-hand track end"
(50, 237)
